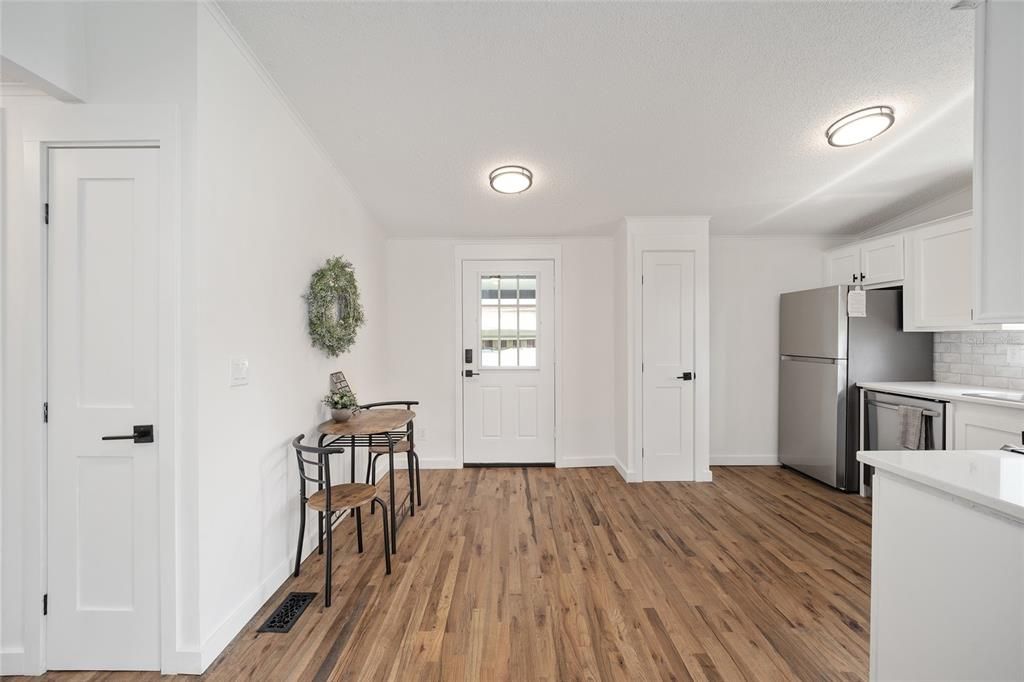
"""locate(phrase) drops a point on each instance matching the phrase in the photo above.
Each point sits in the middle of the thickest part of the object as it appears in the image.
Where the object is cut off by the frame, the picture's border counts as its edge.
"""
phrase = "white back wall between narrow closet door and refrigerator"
(747, 277)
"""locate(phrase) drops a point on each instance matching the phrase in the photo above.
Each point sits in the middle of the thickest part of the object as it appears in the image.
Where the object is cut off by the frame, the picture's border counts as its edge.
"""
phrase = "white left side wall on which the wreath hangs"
(272, 209)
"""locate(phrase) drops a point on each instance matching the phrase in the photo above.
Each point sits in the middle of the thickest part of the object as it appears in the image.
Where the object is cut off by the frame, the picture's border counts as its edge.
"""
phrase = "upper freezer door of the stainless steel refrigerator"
(814, 323)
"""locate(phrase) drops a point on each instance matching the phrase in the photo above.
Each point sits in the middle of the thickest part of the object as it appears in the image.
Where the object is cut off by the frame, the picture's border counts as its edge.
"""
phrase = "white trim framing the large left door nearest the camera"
(84, 125)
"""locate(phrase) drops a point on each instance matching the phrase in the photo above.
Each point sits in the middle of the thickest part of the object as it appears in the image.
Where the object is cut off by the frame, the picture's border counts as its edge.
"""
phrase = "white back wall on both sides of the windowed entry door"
(423, 358)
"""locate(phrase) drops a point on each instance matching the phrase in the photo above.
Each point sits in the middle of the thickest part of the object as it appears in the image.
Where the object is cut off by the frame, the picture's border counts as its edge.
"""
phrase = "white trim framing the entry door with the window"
(511, 250)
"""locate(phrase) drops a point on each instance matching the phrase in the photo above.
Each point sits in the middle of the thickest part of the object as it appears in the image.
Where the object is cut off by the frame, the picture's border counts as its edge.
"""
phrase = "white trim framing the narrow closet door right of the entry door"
(668, 234)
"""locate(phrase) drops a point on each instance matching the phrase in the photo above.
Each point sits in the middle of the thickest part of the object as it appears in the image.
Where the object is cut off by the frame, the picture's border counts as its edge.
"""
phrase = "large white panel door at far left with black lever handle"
(103, 577)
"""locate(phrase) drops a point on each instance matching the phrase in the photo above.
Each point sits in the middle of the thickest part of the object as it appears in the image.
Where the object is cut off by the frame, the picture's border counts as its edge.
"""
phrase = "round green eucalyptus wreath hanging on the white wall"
(335, 312)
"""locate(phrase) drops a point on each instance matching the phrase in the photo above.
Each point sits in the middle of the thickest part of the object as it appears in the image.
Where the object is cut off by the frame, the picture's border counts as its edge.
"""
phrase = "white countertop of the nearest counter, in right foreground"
(990, 479)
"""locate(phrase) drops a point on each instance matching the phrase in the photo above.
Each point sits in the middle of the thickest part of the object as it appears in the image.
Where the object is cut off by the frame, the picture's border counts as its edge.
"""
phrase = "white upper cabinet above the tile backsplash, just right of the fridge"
(937, 291)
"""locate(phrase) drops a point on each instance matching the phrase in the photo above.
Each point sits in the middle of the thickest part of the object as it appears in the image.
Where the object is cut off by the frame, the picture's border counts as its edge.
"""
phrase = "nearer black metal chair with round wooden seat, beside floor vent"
(330, 500)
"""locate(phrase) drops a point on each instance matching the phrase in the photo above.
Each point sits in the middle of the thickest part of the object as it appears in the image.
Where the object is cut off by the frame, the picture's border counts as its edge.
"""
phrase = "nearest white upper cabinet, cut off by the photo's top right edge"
(999, 166)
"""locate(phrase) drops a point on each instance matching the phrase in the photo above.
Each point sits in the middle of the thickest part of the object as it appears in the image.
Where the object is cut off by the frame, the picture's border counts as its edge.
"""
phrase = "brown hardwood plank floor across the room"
(572, 574)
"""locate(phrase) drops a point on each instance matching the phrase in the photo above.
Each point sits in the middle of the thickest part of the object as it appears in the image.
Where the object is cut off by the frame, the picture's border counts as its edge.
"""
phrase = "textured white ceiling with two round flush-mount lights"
(624, 109)
